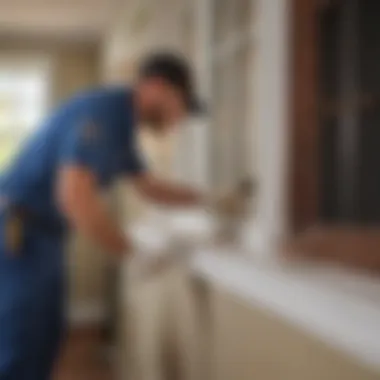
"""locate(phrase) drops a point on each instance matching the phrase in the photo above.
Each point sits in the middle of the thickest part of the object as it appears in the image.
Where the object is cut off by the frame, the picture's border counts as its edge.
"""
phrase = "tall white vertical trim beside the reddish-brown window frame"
(270, 86)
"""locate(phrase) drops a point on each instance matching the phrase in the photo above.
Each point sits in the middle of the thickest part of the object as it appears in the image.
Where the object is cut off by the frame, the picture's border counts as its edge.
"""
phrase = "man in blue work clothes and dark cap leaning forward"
(54, 185)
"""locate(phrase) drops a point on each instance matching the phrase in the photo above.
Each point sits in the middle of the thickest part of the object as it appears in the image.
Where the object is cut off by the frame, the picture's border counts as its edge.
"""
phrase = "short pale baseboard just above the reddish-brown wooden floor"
(87, 314)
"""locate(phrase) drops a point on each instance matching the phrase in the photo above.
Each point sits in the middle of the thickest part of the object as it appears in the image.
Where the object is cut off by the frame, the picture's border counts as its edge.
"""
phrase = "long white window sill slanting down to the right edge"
(338, 307)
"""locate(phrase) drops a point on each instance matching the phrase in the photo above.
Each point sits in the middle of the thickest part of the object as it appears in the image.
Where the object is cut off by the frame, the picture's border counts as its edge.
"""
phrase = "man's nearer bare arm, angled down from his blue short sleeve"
(79, 201)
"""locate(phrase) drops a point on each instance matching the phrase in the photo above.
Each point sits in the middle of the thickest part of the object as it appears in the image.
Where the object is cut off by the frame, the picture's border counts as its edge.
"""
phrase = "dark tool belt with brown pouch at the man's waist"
(19, 220)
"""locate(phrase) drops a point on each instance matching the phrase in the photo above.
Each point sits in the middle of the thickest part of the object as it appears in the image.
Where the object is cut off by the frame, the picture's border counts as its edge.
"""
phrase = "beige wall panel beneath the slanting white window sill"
(251, 343)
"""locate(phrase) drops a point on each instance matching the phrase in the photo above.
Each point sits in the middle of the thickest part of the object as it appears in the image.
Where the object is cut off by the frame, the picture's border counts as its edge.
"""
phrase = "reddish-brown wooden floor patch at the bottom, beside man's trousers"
(82, 357)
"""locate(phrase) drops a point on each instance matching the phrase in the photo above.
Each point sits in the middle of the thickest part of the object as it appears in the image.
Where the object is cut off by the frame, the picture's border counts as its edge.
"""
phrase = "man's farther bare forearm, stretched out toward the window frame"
(166, 193)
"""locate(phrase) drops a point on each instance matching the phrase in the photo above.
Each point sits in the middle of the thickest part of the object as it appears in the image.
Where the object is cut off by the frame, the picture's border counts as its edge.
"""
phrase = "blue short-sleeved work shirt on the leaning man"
(95, 130)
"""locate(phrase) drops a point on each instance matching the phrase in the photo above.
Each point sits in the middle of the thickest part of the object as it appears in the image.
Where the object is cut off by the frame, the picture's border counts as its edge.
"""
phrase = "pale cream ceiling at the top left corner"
(73, 19)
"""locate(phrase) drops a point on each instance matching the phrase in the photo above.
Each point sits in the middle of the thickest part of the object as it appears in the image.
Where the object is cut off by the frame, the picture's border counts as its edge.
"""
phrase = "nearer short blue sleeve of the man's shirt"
(85, 145)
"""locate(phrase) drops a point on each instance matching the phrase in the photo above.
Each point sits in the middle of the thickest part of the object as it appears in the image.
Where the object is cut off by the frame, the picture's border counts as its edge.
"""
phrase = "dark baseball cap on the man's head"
(177, 71)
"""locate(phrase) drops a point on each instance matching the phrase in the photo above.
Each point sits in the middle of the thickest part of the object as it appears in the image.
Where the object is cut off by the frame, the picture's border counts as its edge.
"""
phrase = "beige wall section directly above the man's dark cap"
(140, 27)
